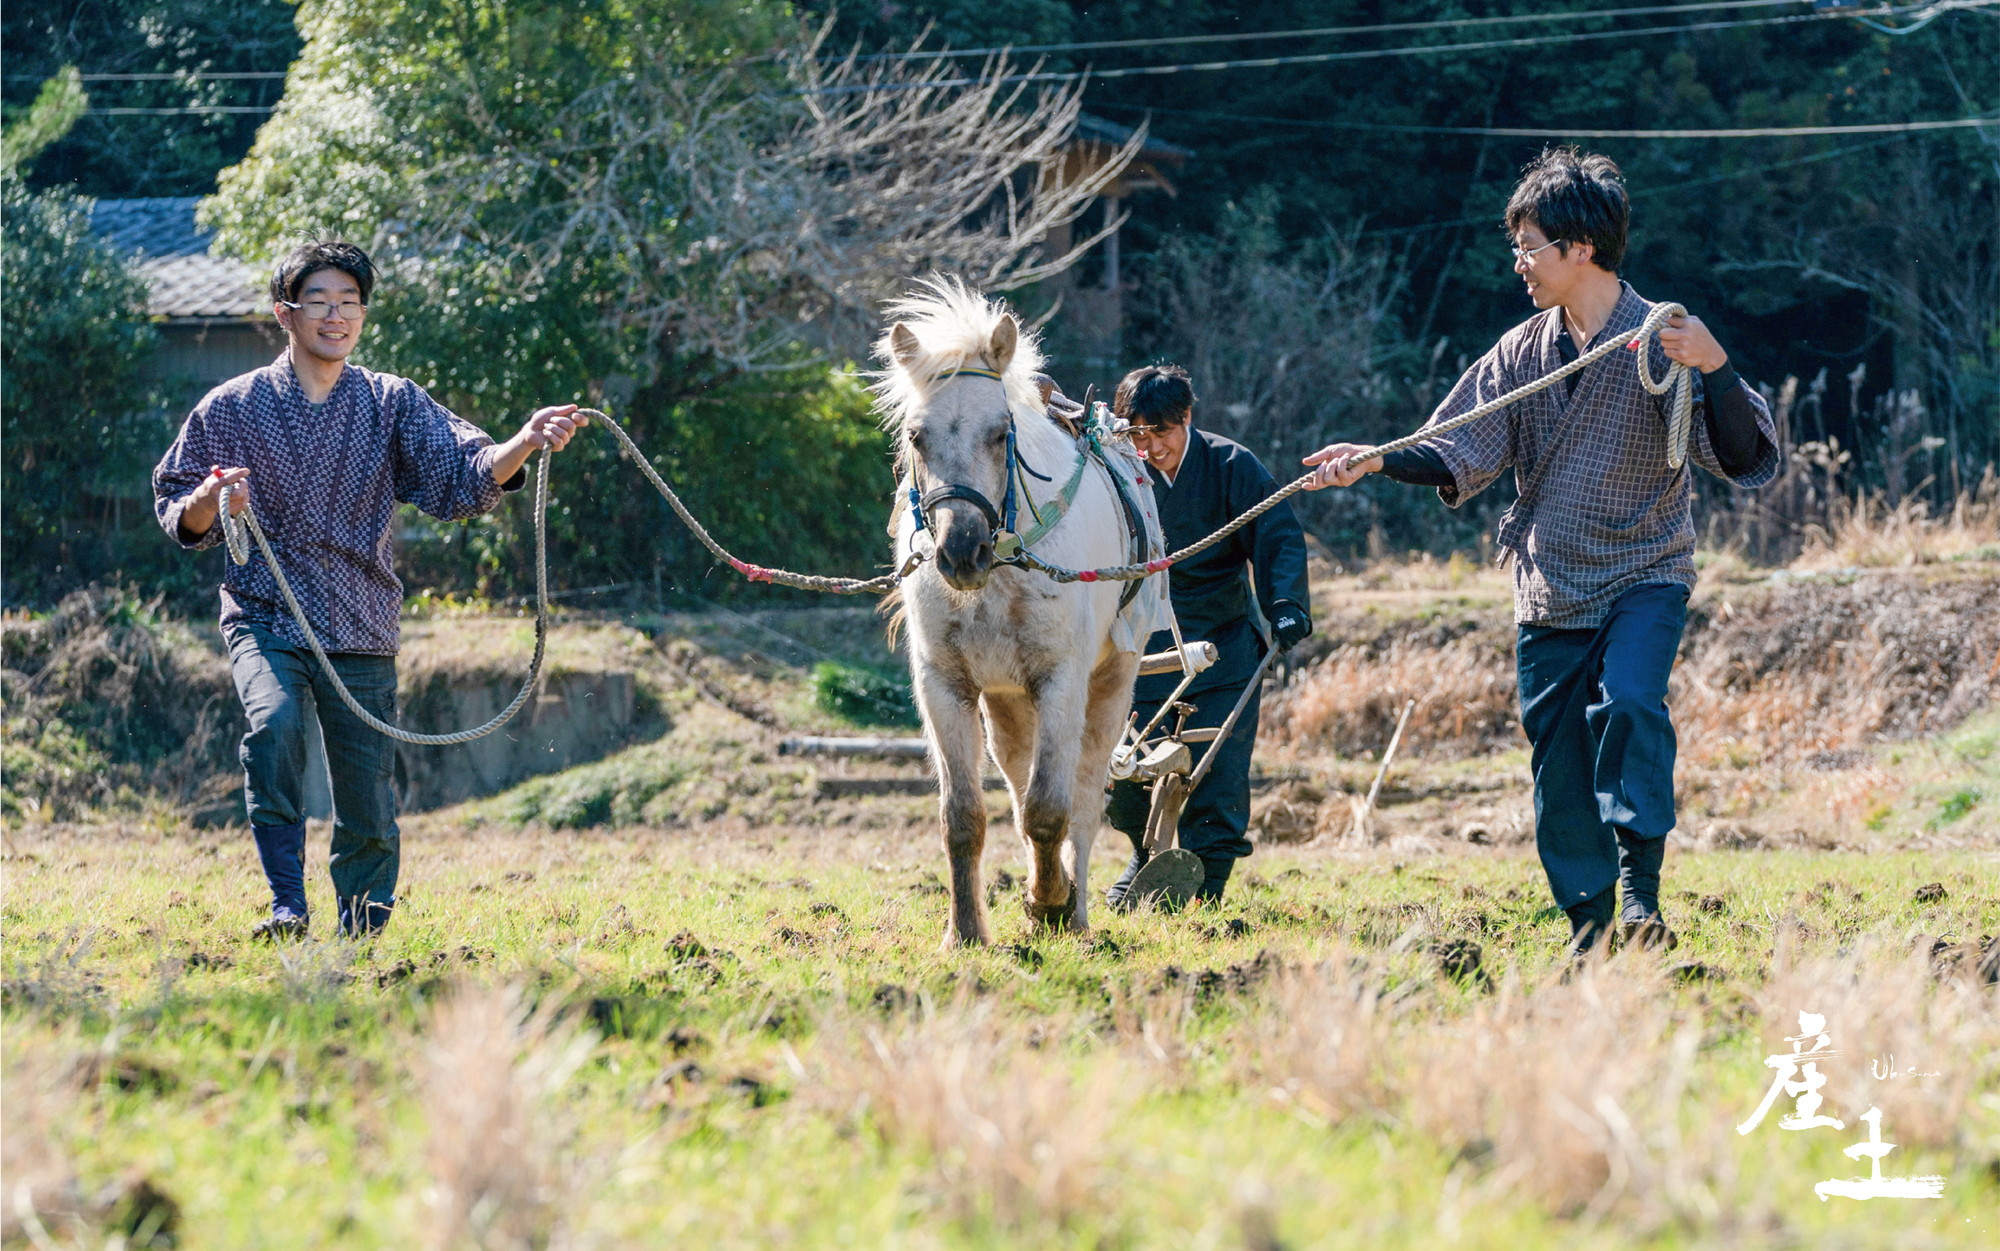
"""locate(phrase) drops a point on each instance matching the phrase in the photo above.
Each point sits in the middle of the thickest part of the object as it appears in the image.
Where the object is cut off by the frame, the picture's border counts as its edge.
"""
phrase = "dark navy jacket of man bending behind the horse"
(1219, 481)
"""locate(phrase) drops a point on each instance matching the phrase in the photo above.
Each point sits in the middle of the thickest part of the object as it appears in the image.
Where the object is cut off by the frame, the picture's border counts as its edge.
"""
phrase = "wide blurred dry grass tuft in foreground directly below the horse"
(1017, 1138)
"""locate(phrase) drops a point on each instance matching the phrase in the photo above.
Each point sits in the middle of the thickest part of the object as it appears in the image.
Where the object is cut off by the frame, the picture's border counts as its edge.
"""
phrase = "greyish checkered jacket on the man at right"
(1607, 515)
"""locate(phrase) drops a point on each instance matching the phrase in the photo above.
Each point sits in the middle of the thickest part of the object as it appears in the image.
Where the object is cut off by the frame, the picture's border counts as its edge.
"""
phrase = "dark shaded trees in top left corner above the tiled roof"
(181, 41)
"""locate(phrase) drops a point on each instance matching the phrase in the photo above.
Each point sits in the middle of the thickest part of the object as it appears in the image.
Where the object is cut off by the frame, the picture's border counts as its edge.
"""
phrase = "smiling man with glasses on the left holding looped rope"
(329, 451)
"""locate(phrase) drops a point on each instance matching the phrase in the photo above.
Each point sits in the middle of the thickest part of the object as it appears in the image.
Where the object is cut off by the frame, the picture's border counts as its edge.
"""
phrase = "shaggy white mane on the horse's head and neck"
(953, 329)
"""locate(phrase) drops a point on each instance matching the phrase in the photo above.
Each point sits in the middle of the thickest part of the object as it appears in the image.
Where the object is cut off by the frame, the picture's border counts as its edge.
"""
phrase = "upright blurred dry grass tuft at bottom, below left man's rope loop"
(489, 1072)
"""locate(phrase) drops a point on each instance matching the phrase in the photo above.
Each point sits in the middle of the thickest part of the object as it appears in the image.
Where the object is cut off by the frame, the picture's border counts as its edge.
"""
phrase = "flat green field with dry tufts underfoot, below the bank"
(745, 1036)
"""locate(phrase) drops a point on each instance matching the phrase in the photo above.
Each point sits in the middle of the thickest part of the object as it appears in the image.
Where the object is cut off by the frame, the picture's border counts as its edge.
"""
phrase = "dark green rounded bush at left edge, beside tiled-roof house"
(79, 421)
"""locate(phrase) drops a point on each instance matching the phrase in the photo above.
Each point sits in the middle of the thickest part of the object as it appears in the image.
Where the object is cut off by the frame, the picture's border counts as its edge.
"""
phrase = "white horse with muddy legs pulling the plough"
(1049, 666)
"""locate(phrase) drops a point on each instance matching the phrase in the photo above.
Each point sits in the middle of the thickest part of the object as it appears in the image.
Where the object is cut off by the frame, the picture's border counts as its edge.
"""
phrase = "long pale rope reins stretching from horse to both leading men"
(241, 531)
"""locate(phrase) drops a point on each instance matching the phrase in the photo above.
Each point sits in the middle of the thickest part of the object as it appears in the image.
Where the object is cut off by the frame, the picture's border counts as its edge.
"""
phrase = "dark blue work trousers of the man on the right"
(1595, 708)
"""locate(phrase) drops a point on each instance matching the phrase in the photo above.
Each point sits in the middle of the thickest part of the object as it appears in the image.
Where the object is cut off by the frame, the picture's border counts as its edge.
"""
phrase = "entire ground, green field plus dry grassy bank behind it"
(685, 998)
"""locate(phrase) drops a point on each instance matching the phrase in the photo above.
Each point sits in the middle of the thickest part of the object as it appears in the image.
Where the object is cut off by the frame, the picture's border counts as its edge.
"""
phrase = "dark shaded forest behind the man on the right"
(1805, 253)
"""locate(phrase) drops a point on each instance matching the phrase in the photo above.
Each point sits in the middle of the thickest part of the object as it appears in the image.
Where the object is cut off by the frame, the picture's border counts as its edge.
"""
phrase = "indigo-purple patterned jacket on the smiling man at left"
(325, 483)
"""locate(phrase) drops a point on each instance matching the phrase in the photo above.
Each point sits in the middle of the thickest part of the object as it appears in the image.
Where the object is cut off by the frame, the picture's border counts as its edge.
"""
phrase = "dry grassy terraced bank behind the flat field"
(1815, 708)
